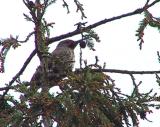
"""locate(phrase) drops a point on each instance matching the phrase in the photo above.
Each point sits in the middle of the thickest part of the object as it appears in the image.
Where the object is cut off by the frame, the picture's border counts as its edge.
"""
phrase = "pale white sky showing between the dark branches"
(118, 46)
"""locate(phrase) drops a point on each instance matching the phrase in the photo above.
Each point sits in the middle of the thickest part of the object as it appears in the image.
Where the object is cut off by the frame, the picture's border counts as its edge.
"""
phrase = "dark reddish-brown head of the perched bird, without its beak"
(68, 43)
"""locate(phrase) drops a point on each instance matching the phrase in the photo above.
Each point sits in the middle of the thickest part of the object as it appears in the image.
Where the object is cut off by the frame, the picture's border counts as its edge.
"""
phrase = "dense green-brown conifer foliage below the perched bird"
(87, 98)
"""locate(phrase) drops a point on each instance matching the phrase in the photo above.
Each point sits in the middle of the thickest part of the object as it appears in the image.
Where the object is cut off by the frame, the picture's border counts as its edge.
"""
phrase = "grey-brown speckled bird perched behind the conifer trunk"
(60, 63)
